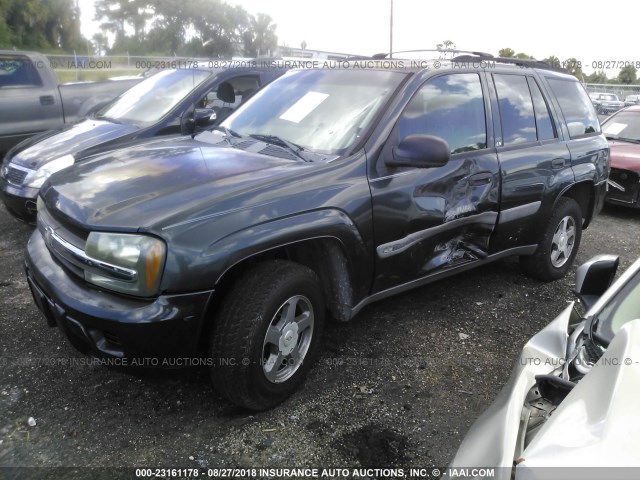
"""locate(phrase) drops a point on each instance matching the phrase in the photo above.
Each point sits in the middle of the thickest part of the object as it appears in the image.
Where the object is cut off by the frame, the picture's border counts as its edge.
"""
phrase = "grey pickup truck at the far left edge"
(32, 101)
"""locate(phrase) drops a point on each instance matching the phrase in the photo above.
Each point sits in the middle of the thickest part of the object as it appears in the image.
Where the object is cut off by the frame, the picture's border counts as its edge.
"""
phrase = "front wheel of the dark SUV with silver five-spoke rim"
(243, 356)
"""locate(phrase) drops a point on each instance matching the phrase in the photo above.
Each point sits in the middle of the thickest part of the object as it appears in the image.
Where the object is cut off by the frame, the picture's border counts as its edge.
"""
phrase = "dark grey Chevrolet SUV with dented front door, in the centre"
(328, 190)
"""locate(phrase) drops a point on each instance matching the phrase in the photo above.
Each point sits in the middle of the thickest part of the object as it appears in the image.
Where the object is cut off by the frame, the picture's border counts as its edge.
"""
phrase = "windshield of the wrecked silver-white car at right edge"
(623, 308)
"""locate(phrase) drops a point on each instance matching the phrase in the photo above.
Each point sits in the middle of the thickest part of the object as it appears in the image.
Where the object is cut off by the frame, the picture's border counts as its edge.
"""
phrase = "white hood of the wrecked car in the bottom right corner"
(597, 424)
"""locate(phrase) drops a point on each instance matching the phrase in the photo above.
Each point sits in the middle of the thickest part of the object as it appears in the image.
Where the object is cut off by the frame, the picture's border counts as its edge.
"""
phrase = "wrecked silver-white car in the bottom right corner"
(572, 397)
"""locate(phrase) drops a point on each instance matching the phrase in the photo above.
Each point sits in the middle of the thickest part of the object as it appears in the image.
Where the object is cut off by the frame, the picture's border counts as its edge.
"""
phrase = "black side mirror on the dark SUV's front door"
(420, 151)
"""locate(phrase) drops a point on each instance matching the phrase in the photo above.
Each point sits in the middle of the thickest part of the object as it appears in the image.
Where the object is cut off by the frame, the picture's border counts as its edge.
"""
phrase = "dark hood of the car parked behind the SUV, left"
(69, 139)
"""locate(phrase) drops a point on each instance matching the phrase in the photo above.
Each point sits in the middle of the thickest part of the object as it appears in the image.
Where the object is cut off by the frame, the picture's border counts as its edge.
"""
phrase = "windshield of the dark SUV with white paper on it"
(322, 111)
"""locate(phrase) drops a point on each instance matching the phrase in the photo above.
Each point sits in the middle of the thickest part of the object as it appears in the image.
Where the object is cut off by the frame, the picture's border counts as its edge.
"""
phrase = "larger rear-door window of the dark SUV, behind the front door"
(516, 109)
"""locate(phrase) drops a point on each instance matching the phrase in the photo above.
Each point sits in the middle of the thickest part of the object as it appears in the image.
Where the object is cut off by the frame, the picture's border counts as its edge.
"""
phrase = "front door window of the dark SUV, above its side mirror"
(450, 107)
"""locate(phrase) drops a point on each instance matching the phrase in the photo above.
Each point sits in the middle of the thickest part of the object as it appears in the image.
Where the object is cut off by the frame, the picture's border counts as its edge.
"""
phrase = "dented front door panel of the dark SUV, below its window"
(431, 219)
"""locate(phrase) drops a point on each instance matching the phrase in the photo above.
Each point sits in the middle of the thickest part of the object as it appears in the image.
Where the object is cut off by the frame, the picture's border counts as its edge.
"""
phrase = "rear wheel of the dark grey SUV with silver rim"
(556, 252)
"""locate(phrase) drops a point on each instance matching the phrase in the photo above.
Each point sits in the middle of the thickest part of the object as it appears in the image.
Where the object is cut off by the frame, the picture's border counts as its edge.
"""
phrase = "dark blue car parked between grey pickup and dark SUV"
(181, 101)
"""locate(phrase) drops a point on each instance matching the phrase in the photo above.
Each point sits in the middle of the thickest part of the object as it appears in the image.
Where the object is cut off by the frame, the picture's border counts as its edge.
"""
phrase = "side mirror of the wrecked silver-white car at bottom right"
(594, 277)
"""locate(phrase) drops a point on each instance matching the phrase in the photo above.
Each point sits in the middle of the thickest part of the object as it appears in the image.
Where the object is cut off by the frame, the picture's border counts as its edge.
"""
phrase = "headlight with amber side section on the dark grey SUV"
(125, 263)
